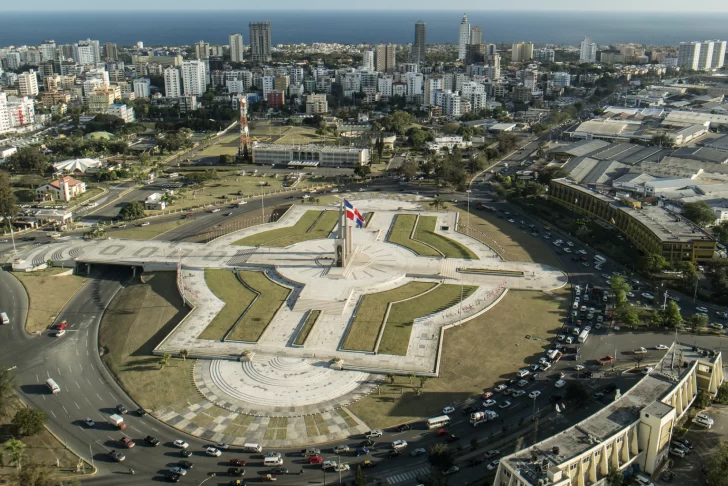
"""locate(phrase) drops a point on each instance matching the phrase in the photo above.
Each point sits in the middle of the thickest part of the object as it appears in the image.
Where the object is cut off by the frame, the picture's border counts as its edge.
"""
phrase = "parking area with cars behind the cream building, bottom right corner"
(688, 469)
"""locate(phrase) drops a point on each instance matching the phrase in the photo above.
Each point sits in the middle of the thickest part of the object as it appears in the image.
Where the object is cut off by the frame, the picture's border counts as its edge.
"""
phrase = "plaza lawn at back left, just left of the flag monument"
(312, 225)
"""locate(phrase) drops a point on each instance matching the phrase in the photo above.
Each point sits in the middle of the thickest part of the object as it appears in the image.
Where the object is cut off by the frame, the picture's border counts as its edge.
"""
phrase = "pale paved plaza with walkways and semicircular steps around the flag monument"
(277, 380)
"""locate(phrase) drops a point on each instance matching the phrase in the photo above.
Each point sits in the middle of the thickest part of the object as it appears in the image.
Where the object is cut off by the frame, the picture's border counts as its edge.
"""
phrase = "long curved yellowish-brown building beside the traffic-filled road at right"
(652, 229)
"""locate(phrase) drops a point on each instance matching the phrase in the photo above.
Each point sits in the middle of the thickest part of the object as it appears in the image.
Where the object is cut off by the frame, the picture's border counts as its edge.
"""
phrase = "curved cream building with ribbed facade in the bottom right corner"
(632, 433)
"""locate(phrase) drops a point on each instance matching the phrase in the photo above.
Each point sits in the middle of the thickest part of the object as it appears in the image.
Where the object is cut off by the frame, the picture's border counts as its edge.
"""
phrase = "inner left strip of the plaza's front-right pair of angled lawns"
(369, 318)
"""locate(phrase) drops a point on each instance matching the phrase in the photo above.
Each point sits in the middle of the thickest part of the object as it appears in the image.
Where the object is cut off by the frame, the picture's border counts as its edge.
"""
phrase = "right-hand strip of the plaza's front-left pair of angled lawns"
(261, 312)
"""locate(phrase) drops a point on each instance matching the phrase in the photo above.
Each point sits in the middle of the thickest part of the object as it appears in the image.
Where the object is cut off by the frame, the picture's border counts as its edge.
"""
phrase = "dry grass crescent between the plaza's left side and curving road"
(139, 317)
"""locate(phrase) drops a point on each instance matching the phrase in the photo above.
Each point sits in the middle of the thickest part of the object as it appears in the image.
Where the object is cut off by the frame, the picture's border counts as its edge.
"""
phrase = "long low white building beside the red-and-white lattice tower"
(310, 155)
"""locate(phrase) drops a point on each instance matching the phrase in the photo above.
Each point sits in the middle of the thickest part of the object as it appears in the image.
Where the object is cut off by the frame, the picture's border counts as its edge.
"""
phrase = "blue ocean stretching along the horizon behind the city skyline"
(156, 28)
